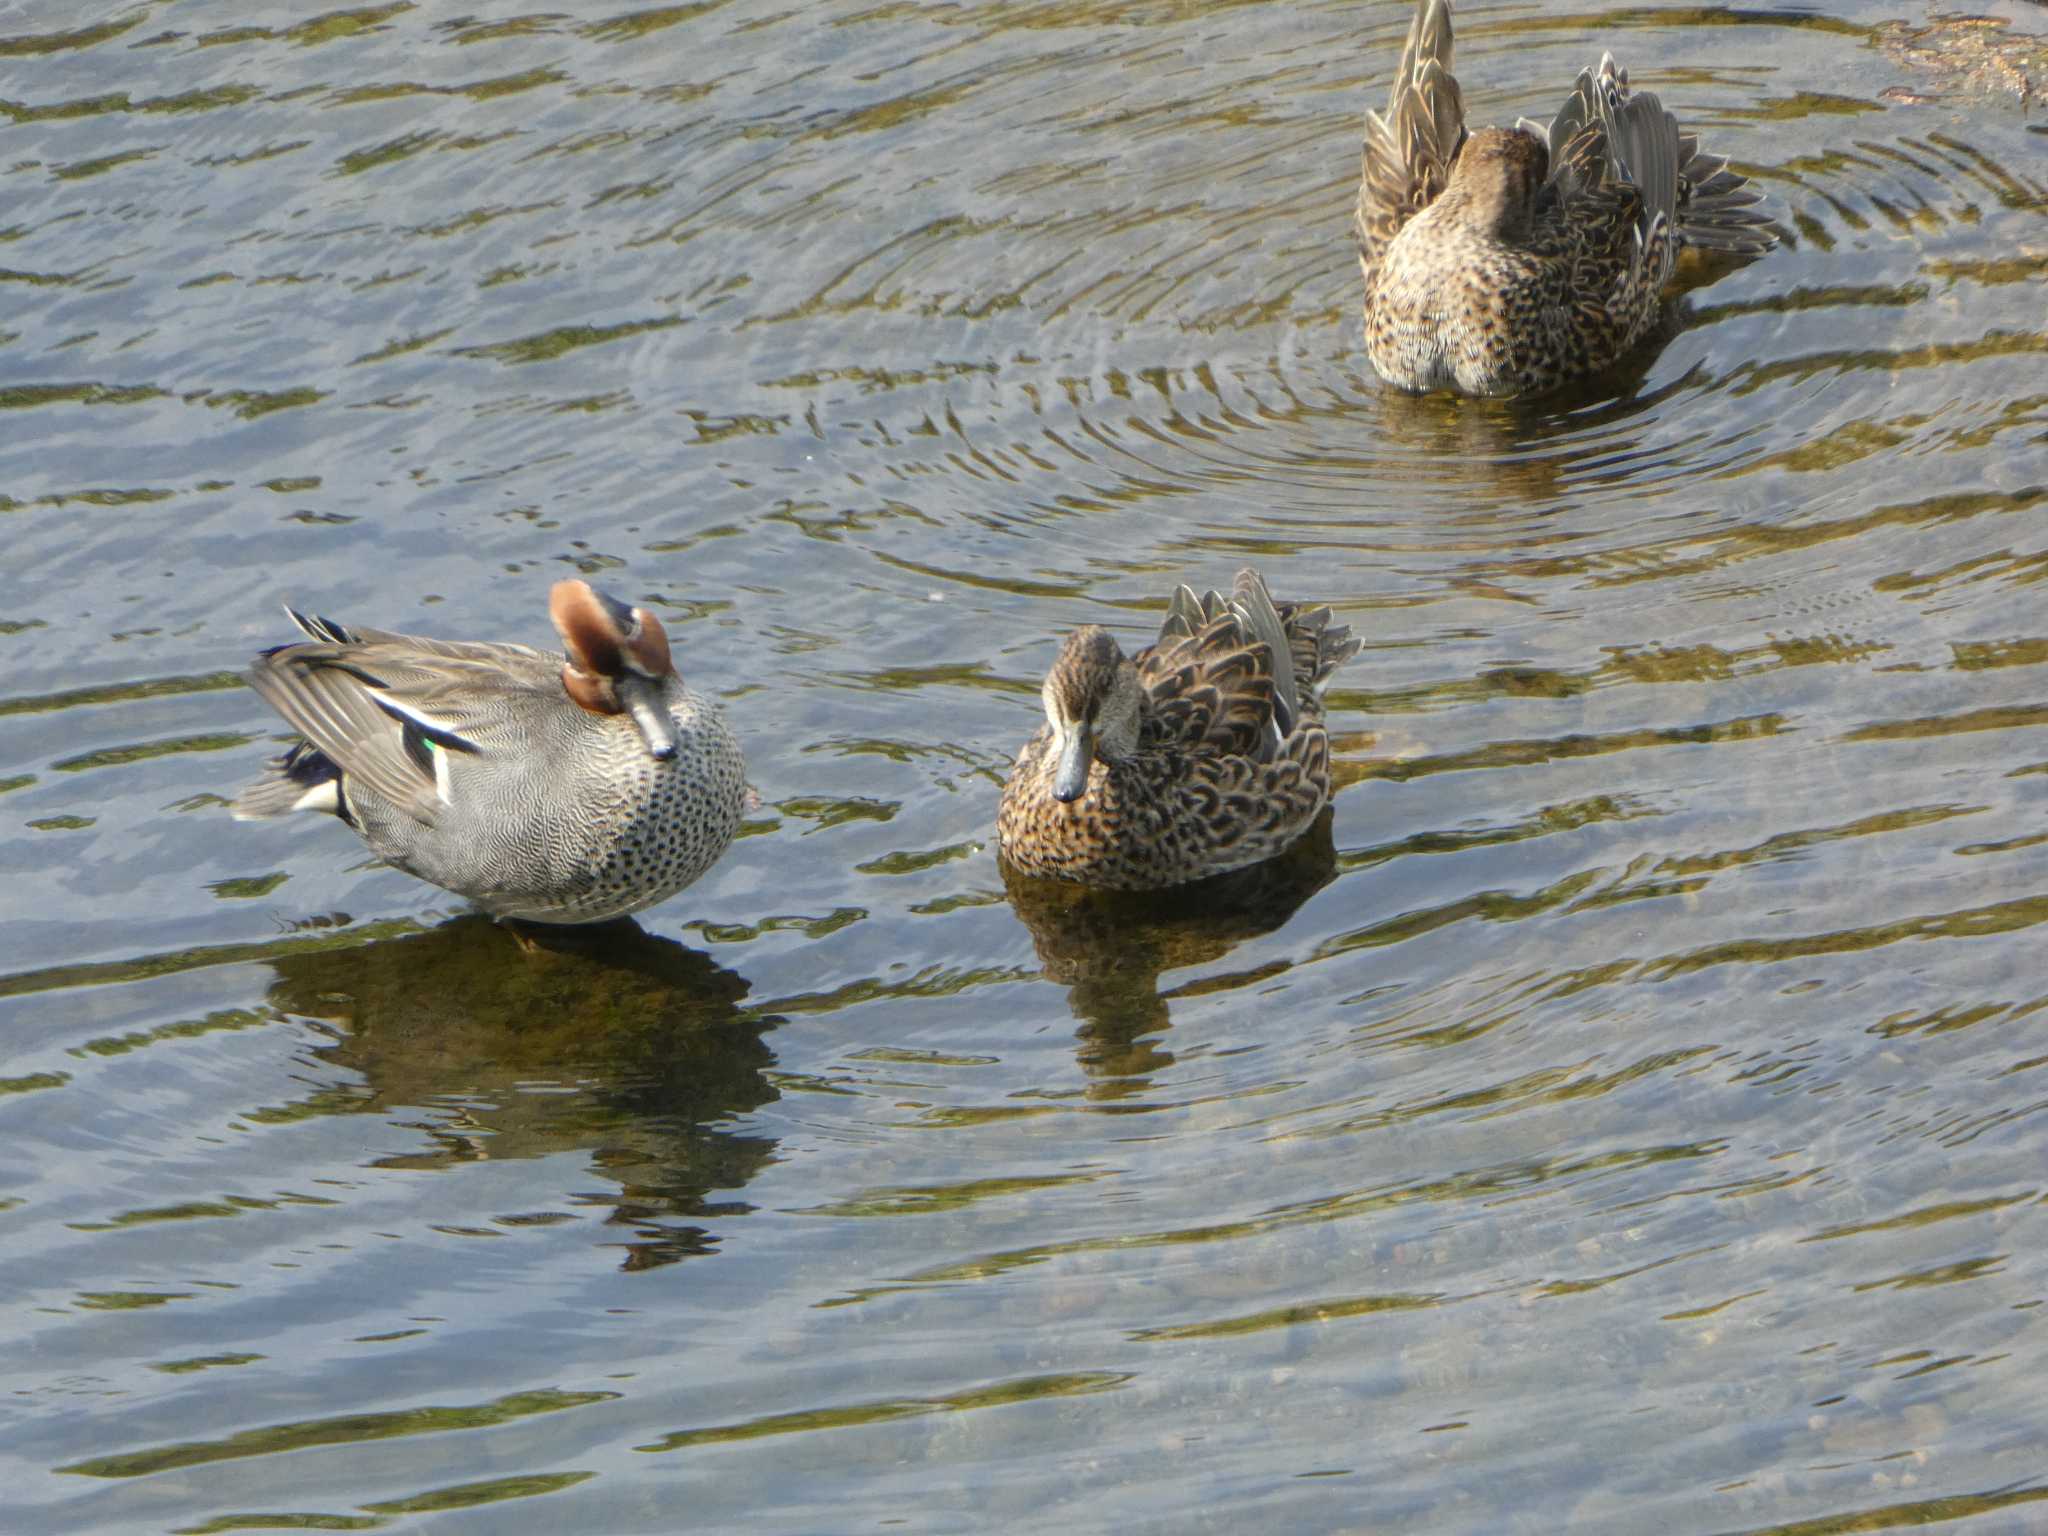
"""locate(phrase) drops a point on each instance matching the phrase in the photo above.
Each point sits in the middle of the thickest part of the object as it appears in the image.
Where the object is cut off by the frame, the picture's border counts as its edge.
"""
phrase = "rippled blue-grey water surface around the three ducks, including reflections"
(1625, 1115)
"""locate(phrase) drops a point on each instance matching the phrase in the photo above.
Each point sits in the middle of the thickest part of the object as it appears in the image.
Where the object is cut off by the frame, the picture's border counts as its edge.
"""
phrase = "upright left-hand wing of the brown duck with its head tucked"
(1410, 151)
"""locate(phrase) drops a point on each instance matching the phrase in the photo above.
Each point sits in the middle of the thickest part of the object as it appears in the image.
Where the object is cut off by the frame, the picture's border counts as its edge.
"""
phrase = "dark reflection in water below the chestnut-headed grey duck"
(605, 1039)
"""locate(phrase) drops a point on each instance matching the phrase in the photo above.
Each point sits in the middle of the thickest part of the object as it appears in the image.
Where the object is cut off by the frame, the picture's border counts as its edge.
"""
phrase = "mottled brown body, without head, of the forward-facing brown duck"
(1207, 790)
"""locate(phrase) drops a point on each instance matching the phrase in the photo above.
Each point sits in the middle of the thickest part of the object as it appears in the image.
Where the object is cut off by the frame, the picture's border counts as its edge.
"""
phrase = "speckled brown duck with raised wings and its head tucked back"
(1514, 261)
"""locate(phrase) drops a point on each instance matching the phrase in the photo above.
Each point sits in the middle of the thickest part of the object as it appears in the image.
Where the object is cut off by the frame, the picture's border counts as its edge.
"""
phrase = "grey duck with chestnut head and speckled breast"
(552, 790)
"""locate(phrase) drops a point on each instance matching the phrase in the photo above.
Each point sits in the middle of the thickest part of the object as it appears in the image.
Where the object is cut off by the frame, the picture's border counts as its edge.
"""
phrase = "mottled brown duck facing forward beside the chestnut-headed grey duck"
(1201, 755)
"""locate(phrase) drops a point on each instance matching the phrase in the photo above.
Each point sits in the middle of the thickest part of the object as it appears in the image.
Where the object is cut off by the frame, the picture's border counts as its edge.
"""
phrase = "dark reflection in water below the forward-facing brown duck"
(1111, 947)
